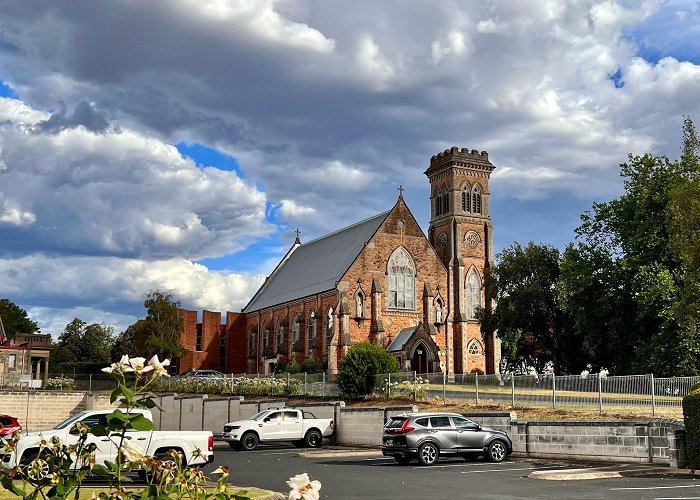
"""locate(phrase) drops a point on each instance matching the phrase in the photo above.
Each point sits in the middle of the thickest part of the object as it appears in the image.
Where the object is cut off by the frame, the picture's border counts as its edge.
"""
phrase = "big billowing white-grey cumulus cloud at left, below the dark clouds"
(119, 193)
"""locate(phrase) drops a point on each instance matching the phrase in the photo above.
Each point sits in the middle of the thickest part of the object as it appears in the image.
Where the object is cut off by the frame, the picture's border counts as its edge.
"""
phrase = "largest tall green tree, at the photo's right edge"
(644, 233)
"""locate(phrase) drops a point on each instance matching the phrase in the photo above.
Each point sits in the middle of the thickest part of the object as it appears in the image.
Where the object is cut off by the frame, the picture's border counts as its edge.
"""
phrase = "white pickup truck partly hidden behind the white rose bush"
(153, 443)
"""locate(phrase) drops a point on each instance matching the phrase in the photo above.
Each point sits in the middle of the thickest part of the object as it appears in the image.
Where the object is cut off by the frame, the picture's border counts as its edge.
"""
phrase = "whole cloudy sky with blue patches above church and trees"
(177, 145)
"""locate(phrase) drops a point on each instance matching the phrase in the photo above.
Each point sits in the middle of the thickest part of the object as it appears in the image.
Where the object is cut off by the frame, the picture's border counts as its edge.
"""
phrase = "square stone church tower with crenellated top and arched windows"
(461, 233)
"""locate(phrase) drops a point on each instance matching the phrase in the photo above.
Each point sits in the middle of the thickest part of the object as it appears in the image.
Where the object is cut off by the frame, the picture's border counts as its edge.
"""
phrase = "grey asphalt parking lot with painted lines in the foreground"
(356, 474)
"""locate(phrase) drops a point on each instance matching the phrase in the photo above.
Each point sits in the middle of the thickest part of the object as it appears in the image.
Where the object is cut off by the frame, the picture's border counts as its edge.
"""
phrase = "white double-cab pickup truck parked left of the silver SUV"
(302, 428)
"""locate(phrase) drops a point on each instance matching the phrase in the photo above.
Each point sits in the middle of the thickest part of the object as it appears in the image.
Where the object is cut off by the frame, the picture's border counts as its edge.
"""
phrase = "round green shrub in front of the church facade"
(360, 366)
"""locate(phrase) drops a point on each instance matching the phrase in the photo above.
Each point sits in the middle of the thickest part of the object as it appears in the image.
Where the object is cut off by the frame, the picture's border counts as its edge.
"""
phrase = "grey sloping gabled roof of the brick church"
(316, 266)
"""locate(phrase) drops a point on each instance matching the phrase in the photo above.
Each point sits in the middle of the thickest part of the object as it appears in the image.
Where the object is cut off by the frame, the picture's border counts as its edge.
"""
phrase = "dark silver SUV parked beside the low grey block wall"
(427, 436)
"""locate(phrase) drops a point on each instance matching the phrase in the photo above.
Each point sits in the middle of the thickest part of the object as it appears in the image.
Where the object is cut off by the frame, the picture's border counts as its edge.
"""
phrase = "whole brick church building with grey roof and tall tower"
(383, 280)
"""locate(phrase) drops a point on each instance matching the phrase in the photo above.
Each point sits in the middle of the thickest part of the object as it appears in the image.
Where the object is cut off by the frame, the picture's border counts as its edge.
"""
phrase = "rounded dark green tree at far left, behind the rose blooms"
(83, 347)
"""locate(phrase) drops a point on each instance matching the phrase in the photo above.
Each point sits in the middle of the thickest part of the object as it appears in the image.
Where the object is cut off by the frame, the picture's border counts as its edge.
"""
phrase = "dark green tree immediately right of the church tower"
(528, 318)
